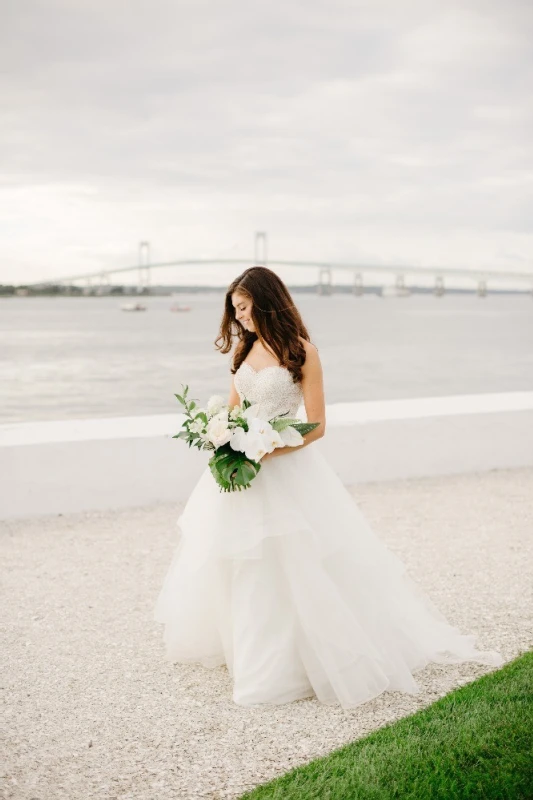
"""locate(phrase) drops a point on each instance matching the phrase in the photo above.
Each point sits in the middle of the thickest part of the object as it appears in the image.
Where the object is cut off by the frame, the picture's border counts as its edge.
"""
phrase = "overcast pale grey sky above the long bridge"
(380, 132)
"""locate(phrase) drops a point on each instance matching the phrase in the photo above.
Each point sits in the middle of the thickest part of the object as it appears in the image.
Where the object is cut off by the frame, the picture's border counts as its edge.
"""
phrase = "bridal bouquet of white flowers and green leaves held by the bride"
(238, 436)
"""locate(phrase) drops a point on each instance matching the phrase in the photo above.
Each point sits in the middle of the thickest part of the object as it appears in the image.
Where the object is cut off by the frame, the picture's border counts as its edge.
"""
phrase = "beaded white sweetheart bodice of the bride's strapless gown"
(272, 387)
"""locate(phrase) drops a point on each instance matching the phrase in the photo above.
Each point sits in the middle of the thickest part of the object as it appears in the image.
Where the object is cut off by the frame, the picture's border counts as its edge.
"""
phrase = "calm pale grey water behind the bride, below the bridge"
(67, 358)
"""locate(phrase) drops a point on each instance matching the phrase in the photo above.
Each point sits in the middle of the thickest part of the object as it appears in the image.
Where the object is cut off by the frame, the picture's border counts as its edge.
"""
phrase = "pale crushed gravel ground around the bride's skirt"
(94, 711)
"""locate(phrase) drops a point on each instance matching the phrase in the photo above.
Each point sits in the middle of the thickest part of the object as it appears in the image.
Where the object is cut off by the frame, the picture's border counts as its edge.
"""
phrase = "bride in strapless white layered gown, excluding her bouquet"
(285, 582)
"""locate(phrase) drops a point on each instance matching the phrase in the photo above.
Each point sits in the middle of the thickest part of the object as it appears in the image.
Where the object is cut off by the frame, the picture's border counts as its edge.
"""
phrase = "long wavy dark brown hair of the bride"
(276, 319)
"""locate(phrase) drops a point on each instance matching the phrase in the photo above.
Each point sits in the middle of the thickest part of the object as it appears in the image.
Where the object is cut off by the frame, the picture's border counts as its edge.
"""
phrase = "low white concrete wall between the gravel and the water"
(74, 465)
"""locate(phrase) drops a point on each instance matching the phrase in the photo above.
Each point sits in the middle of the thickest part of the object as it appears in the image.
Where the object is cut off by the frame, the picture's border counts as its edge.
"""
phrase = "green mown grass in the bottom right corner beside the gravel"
(475, 743)
